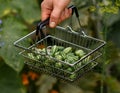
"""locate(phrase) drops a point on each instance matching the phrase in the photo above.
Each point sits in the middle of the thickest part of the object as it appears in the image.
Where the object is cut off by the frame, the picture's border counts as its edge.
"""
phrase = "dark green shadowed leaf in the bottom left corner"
(10, 81)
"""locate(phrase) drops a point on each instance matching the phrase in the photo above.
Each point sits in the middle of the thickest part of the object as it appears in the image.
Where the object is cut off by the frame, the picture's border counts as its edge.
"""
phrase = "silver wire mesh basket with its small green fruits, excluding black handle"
(60, 52)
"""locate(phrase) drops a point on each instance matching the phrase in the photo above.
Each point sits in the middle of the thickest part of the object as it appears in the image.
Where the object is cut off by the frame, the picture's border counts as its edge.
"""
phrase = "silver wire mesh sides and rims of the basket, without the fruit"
(62, 37)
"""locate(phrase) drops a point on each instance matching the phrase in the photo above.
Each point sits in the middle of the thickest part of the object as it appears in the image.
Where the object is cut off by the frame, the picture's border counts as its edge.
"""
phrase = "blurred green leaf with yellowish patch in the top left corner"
(29, 10)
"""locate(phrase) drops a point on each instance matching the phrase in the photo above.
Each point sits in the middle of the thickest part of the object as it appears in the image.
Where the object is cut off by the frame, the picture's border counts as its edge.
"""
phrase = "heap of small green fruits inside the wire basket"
(56, 55)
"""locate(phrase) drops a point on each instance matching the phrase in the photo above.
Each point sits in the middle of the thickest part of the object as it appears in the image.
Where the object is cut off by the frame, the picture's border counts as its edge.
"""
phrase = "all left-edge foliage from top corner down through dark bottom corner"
(17, 18)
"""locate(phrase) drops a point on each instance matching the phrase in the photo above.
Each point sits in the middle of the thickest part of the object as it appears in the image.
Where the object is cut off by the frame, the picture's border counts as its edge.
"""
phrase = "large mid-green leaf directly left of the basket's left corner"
(12, 30)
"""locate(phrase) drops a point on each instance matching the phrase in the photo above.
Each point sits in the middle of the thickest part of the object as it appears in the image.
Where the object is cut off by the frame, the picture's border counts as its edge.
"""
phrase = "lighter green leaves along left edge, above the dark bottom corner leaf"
(16, 17)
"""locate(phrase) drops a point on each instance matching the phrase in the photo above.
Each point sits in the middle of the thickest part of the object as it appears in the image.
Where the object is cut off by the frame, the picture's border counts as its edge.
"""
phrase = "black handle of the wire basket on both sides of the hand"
(46, 22)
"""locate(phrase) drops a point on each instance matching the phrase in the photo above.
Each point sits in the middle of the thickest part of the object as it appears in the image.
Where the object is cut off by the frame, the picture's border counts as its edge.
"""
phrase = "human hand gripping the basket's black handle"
(55, 9)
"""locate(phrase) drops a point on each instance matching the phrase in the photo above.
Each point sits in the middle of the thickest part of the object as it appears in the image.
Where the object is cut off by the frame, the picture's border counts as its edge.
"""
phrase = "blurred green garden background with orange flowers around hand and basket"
(100, 18)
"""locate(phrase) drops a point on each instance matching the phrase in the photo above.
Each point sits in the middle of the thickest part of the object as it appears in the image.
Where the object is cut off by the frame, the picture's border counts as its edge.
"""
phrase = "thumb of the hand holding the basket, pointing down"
(54, 17)
